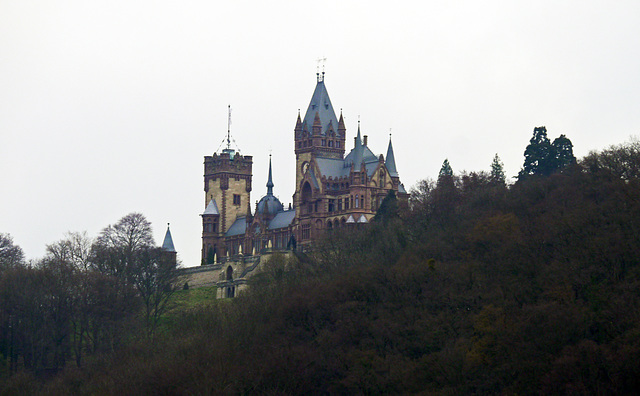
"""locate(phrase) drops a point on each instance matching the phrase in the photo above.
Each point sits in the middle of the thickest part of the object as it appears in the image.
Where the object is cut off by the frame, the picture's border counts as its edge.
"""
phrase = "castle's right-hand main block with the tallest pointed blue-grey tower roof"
(334, 190)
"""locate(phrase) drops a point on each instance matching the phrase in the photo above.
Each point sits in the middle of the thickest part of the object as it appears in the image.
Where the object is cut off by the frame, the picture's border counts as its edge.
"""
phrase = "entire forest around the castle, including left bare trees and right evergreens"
(473, 286)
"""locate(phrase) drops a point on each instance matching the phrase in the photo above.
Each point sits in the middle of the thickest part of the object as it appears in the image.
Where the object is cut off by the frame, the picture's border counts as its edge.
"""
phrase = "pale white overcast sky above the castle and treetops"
(108, 107)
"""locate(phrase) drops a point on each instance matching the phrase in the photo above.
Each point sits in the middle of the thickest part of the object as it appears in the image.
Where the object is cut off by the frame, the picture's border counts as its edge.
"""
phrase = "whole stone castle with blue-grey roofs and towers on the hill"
(332, 190)
